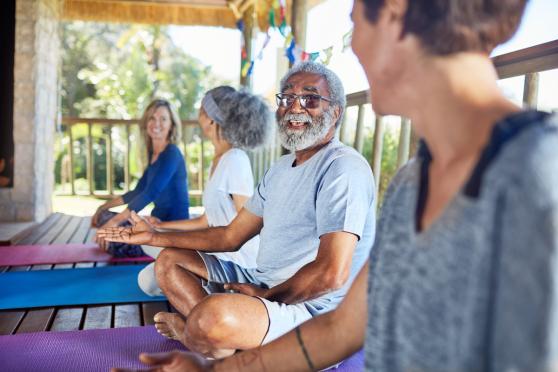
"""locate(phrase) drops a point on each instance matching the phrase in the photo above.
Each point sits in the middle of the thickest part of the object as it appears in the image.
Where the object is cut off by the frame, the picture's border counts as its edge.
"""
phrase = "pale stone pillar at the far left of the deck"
(37, 58)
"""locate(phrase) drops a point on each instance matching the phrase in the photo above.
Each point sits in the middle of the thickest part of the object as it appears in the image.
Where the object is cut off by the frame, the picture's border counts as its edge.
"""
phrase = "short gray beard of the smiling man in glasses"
(315, 132)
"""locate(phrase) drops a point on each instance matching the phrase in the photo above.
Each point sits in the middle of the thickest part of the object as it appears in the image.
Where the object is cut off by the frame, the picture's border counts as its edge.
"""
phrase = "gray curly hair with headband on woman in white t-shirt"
(246, 118)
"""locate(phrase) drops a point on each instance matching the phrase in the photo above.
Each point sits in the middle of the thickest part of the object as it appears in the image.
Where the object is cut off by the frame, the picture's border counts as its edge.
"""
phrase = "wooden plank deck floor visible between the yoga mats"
(59, 229)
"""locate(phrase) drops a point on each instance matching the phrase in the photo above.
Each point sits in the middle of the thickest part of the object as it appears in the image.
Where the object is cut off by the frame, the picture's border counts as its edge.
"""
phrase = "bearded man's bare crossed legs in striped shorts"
(217, 324)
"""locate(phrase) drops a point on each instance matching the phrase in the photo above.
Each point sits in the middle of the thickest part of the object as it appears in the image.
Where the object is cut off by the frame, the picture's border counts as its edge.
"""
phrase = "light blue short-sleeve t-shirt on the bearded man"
(330, 192)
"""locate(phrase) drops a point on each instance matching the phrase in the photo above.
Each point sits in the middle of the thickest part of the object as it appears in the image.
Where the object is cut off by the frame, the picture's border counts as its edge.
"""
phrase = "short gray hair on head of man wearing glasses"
(335, 86)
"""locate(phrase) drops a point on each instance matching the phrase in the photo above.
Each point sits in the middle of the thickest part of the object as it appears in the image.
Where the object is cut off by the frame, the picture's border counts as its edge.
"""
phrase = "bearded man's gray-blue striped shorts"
(282, 317)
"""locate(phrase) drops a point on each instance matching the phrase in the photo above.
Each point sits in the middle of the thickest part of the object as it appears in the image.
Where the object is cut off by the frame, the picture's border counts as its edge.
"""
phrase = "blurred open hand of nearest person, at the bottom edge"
(175, 361)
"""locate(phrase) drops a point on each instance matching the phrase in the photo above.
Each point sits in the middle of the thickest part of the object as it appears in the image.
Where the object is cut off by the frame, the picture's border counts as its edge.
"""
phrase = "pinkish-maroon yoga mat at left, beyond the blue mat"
(22, 255)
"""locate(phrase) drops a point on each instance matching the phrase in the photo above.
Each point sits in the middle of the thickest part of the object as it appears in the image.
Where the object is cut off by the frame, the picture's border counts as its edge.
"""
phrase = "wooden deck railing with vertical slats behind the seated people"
(528, 62)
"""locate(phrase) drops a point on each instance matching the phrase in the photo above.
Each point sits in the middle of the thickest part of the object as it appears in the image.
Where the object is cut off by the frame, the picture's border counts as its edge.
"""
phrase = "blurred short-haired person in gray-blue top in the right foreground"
(463, 275)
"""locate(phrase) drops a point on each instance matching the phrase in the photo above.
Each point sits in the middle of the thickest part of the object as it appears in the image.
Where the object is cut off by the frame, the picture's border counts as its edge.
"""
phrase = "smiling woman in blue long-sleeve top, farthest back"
(164, 182)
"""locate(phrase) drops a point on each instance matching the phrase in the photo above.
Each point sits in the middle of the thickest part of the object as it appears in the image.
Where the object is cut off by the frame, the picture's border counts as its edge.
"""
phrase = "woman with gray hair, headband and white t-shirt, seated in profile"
(232, 120)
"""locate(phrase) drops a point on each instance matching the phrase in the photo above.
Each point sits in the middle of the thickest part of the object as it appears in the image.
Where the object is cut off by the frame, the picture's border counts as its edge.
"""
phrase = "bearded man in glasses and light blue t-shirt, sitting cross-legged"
(314, 211)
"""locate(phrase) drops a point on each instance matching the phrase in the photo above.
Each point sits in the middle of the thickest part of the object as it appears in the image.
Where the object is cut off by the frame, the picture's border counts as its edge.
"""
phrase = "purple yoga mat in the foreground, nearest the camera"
(96, 350)
